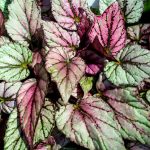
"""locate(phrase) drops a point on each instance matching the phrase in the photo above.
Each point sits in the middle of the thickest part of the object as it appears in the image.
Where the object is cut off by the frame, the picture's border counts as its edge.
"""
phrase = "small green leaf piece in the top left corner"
(4, 6)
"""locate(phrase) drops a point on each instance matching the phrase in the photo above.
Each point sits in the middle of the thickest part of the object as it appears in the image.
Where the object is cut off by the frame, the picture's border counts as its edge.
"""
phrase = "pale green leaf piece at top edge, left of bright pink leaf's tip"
(104, 4)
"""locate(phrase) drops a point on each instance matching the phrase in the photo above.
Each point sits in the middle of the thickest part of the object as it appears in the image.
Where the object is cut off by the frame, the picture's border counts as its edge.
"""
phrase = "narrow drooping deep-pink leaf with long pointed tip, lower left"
(30, 100)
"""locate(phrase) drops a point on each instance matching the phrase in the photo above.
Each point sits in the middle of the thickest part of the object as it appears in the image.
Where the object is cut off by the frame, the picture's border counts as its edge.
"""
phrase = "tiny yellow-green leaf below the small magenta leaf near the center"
(86, 83)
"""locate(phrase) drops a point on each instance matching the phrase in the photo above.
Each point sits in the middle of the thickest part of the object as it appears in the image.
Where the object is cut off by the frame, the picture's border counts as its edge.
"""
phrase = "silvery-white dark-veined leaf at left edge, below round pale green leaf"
(8, 93)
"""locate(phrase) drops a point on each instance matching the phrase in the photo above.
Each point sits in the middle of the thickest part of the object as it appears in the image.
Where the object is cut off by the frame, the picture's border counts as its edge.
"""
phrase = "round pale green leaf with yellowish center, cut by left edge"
(14, 59)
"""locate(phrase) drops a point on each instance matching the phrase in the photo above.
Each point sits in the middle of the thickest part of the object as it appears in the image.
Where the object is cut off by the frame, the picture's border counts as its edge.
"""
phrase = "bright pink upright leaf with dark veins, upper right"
(109, 29)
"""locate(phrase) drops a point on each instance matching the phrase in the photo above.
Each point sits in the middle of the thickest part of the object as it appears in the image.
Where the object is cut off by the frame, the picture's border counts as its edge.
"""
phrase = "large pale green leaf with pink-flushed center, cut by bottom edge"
(90, 124)
